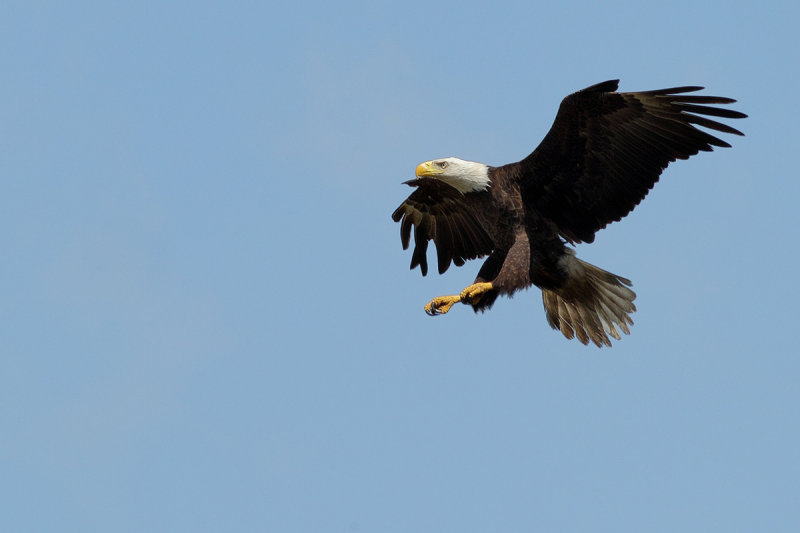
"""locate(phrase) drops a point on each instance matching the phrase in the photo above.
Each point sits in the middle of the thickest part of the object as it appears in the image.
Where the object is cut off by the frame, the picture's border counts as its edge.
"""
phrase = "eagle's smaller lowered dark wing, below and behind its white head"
(440, 212)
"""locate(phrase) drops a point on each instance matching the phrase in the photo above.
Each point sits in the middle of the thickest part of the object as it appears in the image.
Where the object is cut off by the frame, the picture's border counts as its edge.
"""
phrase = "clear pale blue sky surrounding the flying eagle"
(207, 322)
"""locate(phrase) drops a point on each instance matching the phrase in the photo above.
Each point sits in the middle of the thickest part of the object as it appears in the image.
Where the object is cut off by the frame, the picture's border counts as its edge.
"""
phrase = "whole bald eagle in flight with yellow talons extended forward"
(602, 155)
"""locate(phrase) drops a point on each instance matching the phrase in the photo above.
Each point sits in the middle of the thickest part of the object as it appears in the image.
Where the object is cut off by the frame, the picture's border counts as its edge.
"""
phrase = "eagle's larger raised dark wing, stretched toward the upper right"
(606, 150)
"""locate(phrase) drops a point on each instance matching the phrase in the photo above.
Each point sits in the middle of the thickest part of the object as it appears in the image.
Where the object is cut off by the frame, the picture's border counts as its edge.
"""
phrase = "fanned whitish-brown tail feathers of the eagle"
(591, 305)
